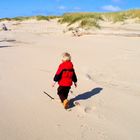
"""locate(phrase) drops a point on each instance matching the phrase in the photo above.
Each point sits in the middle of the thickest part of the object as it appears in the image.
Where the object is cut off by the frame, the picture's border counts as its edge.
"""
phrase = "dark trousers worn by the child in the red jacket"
(63, 92)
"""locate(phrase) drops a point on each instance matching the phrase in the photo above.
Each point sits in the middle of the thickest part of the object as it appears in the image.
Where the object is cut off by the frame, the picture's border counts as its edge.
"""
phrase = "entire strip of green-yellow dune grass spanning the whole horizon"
(85, 19)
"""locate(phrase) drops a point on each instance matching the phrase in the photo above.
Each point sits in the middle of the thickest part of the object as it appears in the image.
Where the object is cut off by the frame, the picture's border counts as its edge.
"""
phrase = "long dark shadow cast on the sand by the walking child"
(85, 96)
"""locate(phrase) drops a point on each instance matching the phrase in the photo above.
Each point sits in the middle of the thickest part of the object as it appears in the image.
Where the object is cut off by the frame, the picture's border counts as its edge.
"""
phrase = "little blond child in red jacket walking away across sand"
(65, 76)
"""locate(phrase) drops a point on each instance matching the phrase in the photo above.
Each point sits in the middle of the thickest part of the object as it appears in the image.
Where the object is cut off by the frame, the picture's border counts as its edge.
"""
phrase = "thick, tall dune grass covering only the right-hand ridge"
(88, 20)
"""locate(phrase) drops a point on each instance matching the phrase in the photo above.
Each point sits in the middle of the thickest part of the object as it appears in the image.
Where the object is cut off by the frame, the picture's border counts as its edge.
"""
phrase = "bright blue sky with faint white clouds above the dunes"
(13, 8)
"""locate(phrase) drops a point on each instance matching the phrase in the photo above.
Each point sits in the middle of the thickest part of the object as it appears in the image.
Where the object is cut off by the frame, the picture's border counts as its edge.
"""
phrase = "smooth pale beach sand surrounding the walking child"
(29, 57)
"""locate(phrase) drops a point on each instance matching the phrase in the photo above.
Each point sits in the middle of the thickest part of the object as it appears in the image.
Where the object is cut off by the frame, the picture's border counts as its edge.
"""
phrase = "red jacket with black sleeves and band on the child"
(65, 74)
